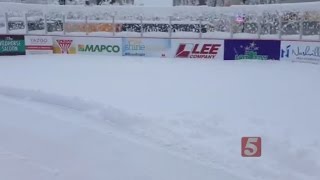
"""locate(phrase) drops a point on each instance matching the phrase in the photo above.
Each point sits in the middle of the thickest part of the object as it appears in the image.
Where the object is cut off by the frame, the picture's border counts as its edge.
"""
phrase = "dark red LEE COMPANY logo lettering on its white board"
(190, 50)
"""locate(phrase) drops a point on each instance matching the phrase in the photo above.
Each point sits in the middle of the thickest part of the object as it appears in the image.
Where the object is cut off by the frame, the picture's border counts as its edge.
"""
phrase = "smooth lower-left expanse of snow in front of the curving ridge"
(54, 143)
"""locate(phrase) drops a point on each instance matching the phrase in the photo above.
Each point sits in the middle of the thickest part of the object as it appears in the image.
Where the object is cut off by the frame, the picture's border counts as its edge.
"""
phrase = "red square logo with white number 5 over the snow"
(251, 146)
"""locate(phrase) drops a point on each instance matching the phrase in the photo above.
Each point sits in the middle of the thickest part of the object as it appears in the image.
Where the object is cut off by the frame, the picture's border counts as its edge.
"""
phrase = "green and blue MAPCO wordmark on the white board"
(99, 48)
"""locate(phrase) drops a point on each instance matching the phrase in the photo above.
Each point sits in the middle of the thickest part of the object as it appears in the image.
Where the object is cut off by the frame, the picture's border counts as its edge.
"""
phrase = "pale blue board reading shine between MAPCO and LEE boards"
(146, 47)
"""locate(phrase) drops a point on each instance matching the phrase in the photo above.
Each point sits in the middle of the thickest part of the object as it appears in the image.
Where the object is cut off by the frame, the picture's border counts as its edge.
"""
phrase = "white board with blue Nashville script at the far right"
(300, 51)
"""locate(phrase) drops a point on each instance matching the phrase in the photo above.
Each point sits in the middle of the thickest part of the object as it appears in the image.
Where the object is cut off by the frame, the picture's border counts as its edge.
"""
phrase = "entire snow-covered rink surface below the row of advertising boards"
(98, 117)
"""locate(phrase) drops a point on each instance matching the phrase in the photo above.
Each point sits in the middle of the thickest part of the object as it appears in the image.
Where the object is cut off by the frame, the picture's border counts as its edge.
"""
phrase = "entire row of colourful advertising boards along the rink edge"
(193, 48)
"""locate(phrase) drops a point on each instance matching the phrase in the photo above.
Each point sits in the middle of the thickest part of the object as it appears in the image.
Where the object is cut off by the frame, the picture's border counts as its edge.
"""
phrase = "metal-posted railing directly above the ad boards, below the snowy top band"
(201, 27)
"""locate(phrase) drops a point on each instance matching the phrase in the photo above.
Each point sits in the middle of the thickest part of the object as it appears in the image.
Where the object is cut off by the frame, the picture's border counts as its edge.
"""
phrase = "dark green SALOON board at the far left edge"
(11, 45)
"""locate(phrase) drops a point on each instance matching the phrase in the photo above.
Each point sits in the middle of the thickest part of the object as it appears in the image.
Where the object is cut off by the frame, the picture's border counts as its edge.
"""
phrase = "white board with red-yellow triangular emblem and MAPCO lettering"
(87, 45)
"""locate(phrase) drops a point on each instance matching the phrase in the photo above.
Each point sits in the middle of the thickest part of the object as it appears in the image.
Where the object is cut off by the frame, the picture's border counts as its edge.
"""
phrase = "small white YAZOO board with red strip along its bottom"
(39, 44)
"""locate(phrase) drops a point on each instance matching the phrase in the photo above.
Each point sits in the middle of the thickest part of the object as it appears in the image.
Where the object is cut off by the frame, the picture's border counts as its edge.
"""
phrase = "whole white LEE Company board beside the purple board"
(199, 49)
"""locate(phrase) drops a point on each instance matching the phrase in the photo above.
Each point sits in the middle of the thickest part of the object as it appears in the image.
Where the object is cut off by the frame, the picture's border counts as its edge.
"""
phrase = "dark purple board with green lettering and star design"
(252, 49)
